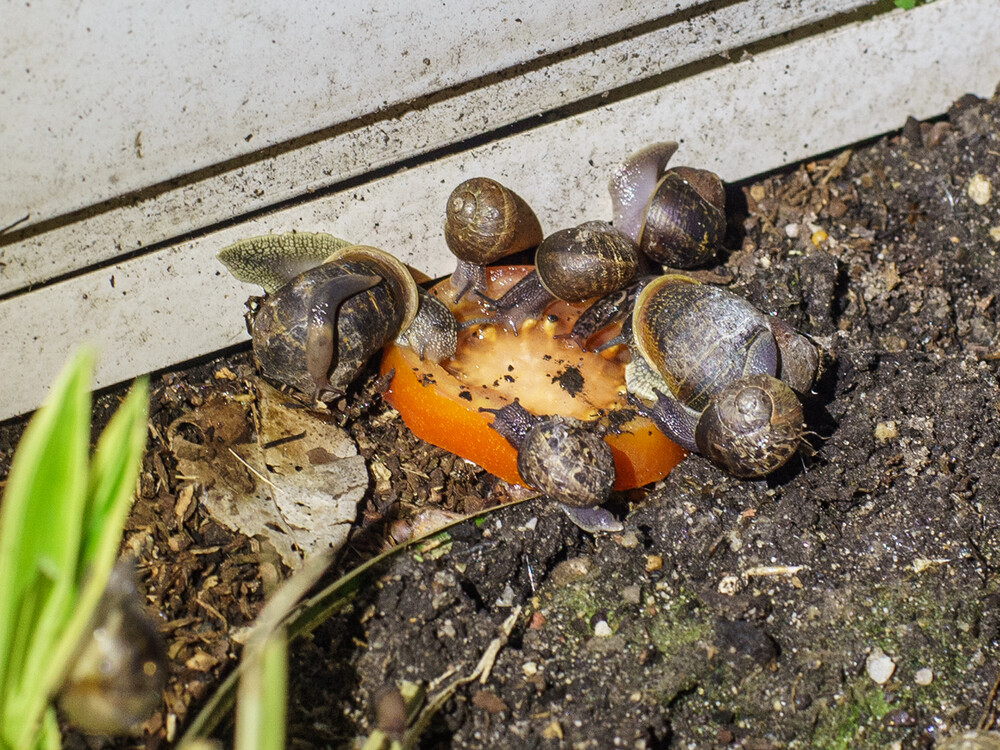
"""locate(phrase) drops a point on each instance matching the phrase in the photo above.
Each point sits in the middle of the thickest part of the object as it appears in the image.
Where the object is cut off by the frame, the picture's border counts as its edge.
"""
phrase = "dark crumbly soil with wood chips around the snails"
(728, 613)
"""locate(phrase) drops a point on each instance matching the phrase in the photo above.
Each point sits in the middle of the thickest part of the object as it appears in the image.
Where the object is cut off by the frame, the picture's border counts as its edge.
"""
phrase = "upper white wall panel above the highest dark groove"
(103, 98)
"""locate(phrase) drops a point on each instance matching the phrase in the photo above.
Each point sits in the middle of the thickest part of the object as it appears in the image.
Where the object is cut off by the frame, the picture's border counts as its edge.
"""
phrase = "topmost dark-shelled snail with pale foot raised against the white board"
(676, 216)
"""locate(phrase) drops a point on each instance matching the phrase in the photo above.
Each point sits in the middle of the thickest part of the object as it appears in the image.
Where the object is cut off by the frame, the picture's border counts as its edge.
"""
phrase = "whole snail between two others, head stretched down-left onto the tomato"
(585, 262)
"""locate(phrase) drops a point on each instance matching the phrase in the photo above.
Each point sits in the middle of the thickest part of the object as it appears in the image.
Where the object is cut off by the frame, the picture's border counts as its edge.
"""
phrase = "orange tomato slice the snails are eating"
(441, 403)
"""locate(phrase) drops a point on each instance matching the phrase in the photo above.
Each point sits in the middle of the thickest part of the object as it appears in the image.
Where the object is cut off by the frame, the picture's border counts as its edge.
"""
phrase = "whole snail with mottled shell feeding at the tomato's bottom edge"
(565, 459)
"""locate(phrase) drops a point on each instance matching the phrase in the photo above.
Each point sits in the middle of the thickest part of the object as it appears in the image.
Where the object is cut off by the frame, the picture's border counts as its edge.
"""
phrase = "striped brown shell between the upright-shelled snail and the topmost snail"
(591, 260)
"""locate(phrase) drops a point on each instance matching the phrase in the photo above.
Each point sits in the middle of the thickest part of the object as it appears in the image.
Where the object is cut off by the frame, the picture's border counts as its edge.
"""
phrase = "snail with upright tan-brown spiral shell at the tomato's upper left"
(484, 222)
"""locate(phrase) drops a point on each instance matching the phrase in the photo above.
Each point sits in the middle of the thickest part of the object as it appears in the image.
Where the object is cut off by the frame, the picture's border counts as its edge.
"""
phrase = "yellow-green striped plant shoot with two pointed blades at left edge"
(61, 523)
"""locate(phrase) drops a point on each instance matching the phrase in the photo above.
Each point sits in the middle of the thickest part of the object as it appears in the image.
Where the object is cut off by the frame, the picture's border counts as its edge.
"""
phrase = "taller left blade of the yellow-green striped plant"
(40, 521)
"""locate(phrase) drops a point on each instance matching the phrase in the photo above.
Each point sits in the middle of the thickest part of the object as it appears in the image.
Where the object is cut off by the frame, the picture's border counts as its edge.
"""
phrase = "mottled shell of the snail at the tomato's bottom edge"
(564, 459)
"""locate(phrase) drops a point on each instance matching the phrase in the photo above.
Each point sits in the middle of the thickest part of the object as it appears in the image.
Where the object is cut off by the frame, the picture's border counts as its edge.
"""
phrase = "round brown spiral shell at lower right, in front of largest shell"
(751, 427)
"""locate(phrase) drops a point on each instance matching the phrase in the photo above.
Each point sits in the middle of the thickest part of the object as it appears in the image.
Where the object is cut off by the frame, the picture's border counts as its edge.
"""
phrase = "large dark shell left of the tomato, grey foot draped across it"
(316, 332)
